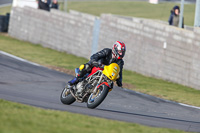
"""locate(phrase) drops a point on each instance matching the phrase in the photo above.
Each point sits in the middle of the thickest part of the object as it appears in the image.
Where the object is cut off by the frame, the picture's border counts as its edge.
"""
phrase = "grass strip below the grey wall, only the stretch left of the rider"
(37, 53)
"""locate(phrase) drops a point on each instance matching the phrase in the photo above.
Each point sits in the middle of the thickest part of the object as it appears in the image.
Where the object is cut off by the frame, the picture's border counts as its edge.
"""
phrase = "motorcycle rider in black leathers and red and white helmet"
(105, 57)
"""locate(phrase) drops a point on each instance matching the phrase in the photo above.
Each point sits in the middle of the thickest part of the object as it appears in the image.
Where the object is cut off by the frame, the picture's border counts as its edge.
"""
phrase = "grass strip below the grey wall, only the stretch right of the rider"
(162, 89)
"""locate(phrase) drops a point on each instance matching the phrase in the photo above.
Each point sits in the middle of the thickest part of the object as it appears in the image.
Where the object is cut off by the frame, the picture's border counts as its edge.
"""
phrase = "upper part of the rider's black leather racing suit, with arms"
(105, 57)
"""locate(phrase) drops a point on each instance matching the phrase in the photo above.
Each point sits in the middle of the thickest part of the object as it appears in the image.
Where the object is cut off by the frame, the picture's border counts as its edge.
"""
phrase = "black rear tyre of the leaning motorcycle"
(66, 97)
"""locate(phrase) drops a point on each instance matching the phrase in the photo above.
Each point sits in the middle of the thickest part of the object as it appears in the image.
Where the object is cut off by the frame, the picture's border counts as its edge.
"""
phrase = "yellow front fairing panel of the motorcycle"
(112, 71)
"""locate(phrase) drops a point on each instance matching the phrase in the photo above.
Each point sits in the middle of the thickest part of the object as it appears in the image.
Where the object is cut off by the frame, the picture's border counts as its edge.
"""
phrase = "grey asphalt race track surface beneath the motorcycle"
(31, 84)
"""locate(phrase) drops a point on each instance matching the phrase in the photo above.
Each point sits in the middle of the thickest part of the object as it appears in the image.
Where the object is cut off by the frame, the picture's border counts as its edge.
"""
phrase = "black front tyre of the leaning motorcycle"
(95, 100)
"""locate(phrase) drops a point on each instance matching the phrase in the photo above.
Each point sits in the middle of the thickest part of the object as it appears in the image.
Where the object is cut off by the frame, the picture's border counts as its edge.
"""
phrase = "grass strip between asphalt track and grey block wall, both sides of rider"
(138, 82)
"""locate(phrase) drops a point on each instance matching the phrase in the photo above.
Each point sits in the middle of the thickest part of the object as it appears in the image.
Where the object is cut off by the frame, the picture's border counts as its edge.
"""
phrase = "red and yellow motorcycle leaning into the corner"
(94, 88)
